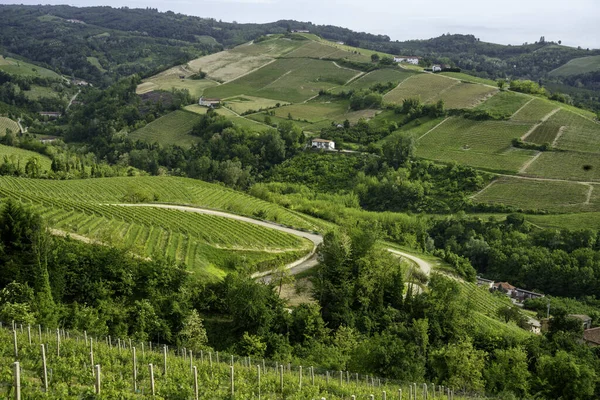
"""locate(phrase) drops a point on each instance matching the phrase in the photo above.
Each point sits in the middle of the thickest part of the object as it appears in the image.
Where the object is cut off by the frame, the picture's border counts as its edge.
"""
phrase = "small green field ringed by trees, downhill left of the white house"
(173, 128)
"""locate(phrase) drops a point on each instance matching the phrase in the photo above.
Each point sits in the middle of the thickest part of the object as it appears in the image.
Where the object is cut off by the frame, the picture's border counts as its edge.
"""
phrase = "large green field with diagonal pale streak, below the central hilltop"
(291, 80)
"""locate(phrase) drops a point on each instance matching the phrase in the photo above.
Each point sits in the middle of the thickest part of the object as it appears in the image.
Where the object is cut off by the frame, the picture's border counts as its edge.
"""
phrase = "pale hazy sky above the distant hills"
(575, 22)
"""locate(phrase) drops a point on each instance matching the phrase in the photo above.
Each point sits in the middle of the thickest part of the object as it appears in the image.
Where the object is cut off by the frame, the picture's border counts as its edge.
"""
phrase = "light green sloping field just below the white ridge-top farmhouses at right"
(423, 86)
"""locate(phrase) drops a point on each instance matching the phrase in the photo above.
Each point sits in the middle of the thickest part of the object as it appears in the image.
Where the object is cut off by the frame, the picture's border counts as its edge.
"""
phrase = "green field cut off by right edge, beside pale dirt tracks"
(580, 134)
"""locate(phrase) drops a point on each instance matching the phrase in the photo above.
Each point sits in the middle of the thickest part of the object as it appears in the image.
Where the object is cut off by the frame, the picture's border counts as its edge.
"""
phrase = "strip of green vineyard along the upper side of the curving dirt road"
(174, 190)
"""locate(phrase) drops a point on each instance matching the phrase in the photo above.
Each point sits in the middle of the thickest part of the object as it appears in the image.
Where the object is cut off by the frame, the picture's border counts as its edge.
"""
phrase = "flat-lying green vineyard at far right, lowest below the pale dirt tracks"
(531, 195)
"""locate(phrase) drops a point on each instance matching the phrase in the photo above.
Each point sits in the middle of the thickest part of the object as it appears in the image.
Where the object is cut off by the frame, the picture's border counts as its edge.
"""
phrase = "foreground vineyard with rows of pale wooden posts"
(55, 364)
